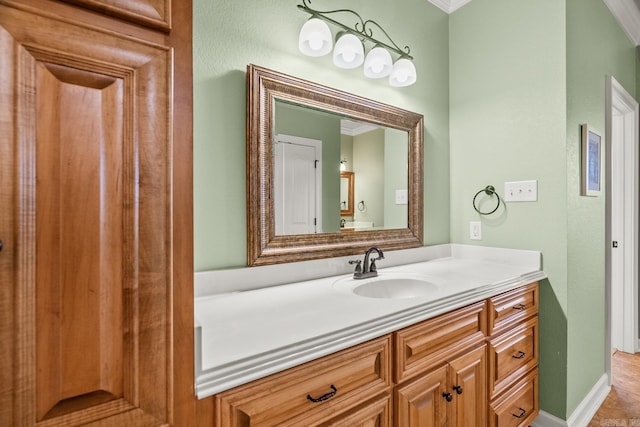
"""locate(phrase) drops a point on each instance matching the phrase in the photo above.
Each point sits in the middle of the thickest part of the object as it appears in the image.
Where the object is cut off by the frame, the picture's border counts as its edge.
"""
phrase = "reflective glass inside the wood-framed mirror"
(311, 147)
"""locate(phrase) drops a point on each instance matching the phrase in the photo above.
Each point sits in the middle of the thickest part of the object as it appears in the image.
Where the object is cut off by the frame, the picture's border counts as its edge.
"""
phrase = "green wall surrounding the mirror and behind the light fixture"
(229, 34)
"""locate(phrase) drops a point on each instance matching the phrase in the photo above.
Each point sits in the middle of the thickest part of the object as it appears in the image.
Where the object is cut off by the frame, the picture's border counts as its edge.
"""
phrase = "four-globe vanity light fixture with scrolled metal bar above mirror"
(315, 40)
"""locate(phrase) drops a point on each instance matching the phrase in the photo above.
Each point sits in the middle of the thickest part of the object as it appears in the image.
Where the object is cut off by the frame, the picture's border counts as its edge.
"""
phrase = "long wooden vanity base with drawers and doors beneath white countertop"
(475, 366)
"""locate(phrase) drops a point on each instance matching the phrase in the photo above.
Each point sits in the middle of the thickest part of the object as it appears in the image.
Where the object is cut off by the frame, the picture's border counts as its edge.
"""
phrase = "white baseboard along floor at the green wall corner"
(583, 413)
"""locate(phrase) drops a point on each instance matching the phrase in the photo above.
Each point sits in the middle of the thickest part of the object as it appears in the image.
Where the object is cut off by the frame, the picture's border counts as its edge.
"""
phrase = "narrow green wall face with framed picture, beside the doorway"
(596, 47)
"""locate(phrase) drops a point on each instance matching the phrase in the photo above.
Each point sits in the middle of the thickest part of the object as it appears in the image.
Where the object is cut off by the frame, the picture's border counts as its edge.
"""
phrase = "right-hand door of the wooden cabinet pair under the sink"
(468, 386)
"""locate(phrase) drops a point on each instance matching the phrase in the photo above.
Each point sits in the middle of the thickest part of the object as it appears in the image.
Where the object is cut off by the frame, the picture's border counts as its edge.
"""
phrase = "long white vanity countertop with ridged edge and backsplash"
(243, 336)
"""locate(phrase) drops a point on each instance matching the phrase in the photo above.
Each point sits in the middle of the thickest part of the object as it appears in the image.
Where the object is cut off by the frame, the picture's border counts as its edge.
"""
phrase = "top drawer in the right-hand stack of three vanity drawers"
(511, 307)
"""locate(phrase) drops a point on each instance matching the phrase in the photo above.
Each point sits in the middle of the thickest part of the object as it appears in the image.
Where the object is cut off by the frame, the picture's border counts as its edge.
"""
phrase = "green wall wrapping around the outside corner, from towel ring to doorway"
(524, 76)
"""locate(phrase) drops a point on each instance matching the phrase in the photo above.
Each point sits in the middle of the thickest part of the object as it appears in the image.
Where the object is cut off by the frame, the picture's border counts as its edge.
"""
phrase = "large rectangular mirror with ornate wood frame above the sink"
(294, 214)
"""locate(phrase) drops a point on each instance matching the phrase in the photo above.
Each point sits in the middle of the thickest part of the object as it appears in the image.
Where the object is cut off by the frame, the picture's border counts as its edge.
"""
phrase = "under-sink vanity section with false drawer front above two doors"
(454, 393)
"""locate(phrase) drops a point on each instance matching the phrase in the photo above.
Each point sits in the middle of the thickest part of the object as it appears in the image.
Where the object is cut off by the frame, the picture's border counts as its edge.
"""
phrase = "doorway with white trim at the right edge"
(622, 228)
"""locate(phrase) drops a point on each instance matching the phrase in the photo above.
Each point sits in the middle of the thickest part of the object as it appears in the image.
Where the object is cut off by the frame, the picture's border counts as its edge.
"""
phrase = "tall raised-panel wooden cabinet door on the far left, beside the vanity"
(86, 162)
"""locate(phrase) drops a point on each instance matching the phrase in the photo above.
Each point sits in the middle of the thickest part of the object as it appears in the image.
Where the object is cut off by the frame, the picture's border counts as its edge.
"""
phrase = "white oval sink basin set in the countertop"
(396, 288)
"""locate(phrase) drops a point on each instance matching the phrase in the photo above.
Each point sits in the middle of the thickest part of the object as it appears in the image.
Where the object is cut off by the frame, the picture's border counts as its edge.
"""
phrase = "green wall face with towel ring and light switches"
(507, 119)
